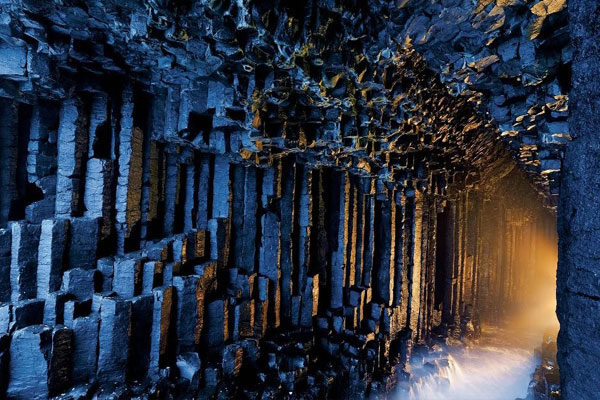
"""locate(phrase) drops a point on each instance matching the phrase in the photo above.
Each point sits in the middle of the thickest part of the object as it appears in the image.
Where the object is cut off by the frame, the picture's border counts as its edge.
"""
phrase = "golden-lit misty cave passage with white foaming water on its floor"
(504, 345)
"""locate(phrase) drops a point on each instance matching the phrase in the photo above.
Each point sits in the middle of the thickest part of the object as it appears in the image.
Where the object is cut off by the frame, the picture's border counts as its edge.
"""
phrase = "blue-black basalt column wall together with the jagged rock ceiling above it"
(246, 199)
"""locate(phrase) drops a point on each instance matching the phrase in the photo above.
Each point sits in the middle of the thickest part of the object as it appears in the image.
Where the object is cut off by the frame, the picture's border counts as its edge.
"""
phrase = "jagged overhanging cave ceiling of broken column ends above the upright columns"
(426, 93)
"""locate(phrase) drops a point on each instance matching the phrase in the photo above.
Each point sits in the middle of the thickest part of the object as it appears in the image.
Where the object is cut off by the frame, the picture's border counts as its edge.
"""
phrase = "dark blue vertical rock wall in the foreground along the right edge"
(578, 292)
